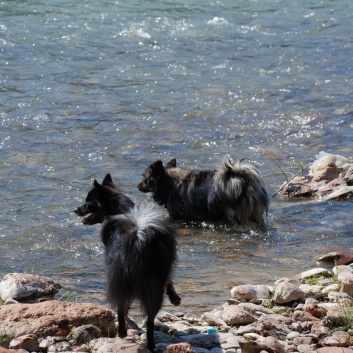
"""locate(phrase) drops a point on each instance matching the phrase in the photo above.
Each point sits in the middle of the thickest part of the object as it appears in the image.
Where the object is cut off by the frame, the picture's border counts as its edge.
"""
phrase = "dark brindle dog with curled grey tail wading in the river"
(235, 191)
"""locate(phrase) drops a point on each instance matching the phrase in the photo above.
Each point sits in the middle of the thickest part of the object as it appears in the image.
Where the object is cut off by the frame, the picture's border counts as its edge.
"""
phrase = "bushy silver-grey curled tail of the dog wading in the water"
(240, 185)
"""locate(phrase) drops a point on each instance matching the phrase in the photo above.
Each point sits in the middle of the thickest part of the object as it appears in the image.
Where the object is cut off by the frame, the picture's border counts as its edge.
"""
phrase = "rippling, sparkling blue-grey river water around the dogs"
(91, 87)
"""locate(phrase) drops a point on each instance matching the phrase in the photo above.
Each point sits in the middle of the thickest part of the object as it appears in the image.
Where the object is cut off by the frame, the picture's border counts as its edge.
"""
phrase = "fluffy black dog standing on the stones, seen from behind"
(140, 252)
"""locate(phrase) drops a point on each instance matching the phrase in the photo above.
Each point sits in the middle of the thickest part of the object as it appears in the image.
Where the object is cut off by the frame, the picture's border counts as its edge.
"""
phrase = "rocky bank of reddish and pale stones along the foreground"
(311, 313)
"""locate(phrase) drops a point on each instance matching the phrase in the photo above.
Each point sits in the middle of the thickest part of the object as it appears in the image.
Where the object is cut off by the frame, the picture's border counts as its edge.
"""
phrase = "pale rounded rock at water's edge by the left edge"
(24, 286)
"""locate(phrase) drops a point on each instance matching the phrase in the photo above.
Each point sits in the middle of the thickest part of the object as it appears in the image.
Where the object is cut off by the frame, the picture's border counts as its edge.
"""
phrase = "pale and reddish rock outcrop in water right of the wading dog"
(330, 176)
